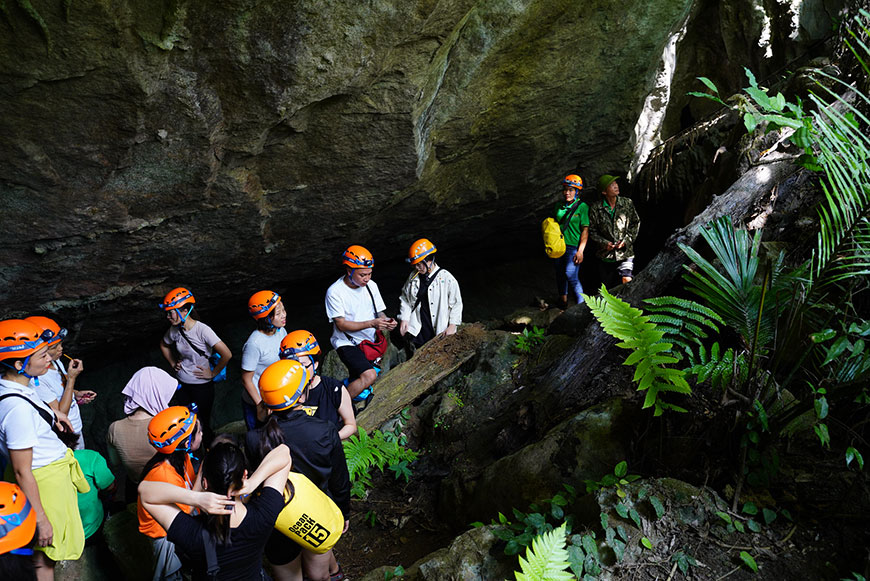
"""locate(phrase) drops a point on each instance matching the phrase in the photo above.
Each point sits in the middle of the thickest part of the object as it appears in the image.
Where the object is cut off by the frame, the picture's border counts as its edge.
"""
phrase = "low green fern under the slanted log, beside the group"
(364, 452)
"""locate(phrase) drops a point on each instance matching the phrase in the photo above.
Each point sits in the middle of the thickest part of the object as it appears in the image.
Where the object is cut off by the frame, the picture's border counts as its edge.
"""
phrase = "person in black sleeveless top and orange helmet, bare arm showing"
(326, 395)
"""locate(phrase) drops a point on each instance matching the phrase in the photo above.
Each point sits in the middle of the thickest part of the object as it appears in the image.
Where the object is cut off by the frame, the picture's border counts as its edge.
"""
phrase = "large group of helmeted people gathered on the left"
(174, 466)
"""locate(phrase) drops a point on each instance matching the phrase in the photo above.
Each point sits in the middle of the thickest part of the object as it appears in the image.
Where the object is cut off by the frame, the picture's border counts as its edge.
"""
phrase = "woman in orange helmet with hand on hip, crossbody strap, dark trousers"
(187, 346)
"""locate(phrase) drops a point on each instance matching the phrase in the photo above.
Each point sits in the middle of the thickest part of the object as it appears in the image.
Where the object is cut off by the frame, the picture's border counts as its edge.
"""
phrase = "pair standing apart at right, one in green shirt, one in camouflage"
(610, 224)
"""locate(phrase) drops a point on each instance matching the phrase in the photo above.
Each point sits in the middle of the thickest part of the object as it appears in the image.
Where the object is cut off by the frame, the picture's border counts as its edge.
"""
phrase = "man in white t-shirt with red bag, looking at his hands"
(356, 310)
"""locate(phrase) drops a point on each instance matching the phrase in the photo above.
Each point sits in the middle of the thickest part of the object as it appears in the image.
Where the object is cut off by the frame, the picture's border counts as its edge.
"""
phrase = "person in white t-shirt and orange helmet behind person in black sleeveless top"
(261, 348)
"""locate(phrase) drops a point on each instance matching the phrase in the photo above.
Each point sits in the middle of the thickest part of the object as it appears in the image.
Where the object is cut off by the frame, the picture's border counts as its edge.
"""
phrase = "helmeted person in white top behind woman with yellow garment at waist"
(57, 386)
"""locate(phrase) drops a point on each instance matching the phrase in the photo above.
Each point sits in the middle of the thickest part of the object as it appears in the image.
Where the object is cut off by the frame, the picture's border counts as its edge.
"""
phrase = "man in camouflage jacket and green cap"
(614, 224)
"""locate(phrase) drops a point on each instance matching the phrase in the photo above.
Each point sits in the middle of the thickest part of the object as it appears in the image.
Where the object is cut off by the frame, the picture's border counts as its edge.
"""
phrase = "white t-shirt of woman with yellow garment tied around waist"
(22, 427)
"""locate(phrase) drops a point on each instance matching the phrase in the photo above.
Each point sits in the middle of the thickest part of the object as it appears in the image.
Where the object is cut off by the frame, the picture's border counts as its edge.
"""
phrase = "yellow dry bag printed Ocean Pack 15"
(309, 517)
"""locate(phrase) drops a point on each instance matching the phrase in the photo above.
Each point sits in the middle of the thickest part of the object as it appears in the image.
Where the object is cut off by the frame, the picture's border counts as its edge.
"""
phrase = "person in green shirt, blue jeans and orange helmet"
(573, 218)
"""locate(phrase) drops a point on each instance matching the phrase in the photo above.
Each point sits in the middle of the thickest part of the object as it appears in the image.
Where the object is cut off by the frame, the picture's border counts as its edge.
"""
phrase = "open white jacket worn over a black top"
(445, 301)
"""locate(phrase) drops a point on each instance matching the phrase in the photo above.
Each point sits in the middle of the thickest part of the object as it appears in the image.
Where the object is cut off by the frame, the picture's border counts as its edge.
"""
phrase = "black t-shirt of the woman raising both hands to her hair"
(242, 558)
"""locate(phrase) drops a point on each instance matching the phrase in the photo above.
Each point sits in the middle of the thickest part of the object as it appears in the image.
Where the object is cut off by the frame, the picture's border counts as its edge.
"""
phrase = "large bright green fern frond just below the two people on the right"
(650, 354)
